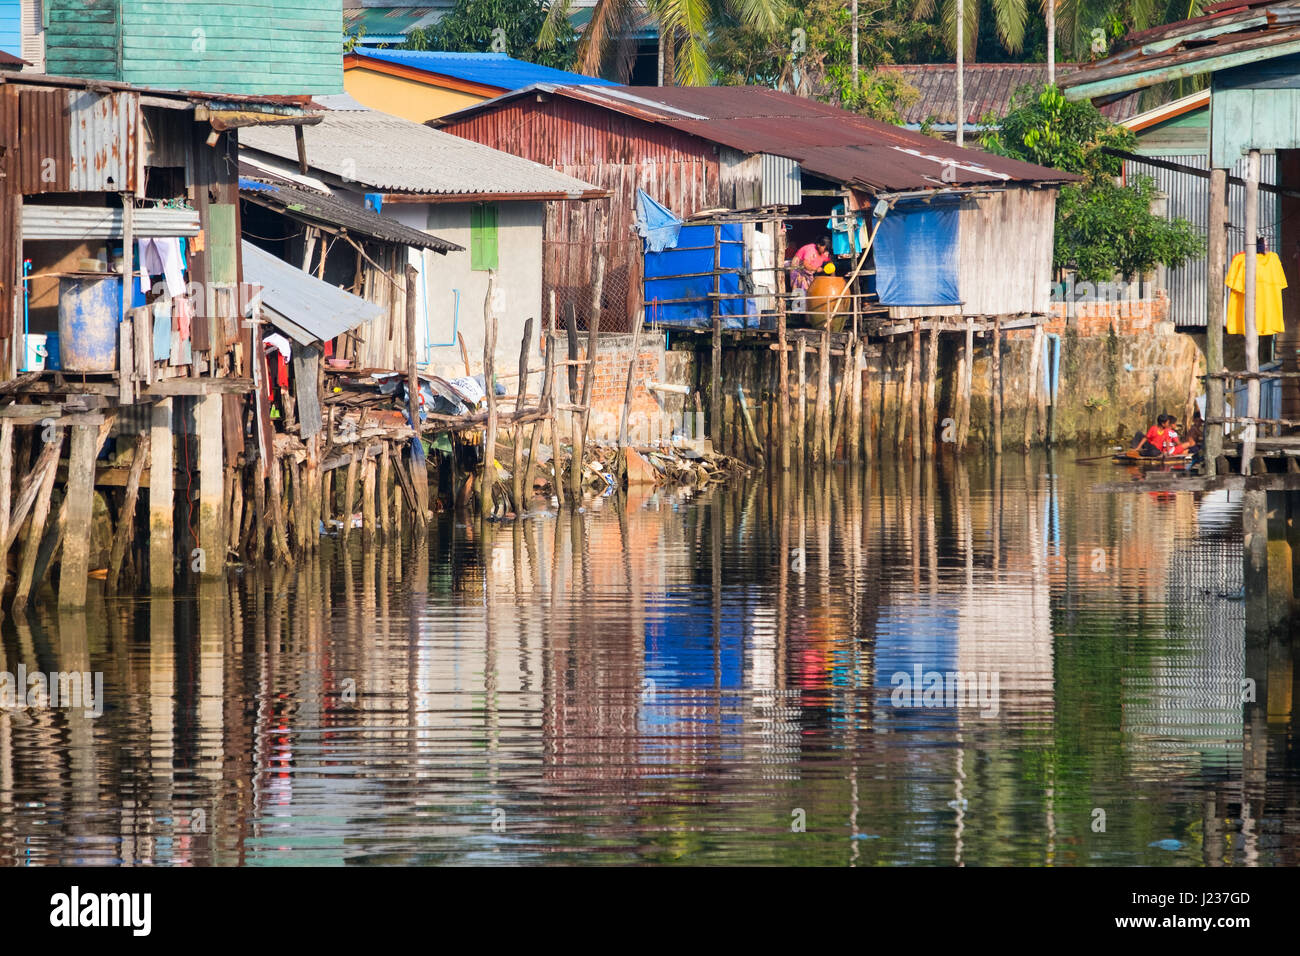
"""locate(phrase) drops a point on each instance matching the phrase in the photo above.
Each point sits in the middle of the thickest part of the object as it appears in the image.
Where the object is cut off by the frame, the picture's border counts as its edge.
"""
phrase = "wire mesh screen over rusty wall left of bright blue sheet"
(570, 270)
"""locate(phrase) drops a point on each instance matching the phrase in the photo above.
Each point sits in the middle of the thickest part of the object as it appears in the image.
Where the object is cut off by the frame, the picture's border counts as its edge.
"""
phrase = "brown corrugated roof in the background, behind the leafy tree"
(987, 89)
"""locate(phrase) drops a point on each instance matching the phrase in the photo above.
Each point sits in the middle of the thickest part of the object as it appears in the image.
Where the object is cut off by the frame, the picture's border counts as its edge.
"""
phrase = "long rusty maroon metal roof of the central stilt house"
(826, 141)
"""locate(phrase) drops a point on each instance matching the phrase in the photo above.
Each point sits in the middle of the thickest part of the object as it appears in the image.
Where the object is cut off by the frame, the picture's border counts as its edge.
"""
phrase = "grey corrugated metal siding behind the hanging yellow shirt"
(1189, 198)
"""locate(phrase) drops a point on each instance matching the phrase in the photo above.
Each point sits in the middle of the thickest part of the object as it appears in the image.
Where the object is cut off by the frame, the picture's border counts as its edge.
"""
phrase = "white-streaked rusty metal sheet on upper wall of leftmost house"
(103, 141)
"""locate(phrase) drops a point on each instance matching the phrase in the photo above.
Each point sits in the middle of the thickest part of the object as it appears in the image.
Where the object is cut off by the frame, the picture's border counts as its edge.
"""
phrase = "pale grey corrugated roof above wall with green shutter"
(397, 155)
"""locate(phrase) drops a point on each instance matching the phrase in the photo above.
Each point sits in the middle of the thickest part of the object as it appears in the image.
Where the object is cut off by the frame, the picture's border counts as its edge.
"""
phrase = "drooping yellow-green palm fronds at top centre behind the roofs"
(684, 31)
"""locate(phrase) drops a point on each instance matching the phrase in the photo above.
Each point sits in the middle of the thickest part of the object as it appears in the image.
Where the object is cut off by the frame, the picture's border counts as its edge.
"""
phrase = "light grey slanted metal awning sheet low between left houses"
(304, 306)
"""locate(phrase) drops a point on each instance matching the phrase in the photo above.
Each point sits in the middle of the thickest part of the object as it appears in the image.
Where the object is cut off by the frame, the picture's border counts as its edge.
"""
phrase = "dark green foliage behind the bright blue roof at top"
(471, 27)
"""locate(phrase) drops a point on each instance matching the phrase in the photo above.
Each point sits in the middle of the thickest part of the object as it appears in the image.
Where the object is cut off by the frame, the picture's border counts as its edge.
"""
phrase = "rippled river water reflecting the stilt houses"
(747, 676)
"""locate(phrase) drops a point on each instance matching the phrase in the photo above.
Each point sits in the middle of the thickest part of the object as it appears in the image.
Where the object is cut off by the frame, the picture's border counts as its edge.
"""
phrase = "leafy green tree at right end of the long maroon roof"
(1103, 228)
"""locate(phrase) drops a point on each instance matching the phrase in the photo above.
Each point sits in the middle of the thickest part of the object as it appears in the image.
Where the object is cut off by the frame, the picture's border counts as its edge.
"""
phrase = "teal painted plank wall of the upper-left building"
(254, 47)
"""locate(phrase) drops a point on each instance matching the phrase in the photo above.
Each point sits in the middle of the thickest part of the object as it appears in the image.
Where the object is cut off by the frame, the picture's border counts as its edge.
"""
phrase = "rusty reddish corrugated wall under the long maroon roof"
(614, 153)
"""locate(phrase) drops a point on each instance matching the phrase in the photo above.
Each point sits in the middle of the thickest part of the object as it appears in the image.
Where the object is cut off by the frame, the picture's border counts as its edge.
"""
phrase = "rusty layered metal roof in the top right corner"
(1230, 34)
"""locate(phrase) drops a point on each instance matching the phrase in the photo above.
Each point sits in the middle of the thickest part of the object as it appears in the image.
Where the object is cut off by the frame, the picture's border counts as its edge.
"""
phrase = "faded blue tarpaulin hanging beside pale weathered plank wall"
(916, 256)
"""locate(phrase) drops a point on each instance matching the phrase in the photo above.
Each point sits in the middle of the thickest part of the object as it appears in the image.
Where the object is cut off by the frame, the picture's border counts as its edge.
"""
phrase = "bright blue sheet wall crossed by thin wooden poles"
(674, 275)
